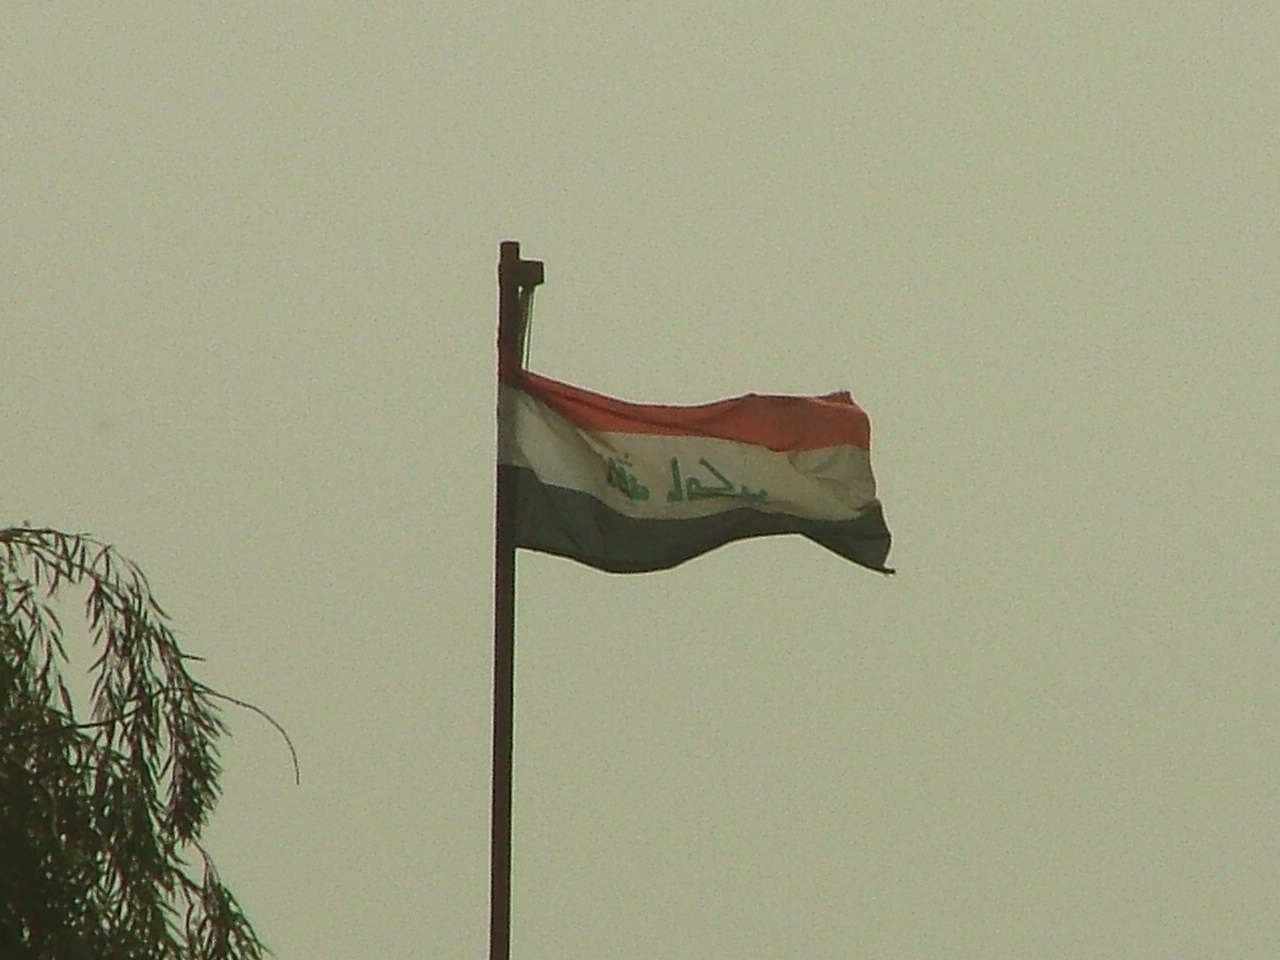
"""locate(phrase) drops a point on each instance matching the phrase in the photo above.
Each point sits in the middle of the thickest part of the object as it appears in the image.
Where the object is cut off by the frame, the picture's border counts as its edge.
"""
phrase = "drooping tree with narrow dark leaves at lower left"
(99, 819)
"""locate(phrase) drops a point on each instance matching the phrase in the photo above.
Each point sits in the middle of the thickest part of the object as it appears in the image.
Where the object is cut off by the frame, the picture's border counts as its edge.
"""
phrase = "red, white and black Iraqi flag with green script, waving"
(630, 487)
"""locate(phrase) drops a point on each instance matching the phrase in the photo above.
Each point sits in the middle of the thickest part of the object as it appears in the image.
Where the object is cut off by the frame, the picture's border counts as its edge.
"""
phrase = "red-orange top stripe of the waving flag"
(775, 423)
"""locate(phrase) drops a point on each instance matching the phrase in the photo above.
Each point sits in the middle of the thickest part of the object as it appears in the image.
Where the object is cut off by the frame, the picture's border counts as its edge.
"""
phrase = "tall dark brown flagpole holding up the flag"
(516, 281)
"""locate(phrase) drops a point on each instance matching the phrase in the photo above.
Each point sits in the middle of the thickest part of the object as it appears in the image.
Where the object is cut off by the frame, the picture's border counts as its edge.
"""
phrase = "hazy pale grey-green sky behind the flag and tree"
(246, 327)
